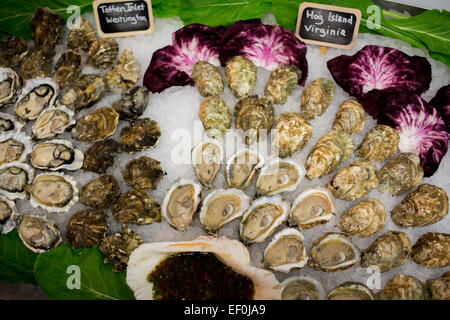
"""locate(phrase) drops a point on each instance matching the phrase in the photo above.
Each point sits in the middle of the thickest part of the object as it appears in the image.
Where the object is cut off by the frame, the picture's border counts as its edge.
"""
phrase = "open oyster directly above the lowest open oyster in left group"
(54, 192)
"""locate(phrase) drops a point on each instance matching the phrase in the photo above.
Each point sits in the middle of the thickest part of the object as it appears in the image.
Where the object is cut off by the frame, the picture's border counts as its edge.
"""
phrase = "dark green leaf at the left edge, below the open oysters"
(16, 260)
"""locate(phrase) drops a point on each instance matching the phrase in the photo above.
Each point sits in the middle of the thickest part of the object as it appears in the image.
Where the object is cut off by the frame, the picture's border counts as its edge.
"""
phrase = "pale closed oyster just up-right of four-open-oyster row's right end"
(355, 181)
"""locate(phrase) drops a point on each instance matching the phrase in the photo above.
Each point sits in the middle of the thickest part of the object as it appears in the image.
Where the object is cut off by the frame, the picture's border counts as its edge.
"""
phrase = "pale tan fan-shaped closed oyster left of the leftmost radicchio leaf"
(125, 74)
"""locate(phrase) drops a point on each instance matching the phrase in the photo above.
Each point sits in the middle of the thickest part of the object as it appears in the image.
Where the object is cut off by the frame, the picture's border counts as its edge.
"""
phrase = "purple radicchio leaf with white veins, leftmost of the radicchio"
(172, 65)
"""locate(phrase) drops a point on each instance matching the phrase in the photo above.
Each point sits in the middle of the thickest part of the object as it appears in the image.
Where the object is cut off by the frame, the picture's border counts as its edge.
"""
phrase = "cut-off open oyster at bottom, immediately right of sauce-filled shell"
(302, 288)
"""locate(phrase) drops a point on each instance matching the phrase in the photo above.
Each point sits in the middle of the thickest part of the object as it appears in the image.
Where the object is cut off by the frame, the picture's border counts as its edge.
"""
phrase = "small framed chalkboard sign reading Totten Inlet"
(118, 18)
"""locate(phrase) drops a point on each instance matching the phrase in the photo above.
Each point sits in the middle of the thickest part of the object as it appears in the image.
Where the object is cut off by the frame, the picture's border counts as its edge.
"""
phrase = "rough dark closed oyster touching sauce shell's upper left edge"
(118, 247)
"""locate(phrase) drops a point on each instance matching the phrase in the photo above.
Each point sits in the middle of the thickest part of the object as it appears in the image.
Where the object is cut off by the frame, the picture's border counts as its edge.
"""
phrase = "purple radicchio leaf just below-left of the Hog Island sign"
(267, 46)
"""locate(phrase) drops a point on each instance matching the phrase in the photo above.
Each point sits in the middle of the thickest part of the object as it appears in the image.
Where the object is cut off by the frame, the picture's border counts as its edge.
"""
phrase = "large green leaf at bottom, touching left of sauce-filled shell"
(97, 279)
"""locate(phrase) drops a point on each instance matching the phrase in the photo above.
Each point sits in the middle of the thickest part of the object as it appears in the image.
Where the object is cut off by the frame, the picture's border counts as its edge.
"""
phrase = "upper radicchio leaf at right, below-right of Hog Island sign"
(375, 67)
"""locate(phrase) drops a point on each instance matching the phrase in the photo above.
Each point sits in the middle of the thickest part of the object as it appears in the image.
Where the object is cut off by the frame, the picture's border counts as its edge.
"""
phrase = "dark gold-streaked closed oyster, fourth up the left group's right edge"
(140, 135)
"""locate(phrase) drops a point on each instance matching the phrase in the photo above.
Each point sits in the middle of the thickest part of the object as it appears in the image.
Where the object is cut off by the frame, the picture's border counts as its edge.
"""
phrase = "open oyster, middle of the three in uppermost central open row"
(241, 168)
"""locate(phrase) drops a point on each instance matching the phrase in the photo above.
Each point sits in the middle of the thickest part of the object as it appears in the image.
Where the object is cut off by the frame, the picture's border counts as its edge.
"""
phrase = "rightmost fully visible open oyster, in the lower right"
(333, 252)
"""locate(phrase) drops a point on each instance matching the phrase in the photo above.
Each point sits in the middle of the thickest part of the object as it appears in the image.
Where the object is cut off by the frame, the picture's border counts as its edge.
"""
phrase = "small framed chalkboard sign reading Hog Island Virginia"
(329, 26)
